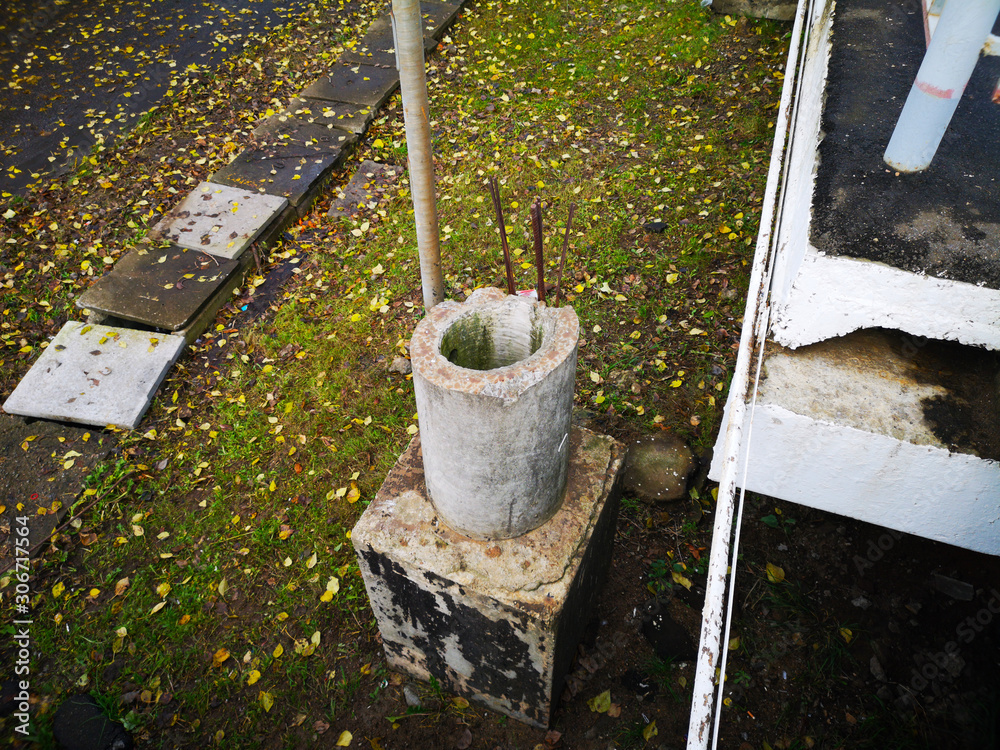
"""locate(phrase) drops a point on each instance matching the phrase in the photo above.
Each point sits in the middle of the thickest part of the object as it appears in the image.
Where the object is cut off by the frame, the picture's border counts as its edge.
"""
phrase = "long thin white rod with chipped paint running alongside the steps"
(754, 329)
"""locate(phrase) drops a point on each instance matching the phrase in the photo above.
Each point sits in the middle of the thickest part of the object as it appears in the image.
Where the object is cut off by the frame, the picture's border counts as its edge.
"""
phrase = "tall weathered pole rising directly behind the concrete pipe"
(413, 86)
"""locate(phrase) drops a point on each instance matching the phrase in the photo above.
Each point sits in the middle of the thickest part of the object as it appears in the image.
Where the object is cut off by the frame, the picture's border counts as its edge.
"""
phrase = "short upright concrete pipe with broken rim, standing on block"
(494, 388)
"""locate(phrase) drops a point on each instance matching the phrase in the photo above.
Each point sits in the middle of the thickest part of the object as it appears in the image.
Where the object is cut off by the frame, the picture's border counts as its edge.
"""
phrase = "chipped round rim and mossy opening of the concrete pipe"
(493, 344)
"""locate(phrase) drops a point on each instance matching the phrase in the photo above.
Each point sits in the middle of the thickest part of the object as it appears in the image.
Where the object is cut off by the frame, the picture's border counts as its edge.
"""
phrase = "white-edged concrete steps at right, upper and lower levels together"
(879, 393)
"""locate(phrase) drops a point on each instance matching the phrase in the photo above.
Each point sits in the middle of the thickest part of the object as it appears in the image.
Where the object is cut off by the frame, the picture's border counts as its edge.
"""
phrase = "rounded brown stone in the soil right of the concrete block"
(658, 467)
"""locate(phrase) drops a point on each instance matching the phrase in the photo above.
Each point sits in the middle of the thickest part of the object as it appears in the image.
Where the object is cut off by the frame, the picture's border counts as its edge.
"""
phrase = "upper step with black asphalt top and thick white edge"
(939, 279)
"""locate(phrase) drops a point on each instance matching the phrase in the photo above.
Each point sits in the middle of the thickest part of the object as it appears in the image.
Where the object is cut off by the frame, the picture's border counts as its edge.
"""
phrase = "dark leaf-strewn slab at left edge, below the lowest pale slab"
(43, 465)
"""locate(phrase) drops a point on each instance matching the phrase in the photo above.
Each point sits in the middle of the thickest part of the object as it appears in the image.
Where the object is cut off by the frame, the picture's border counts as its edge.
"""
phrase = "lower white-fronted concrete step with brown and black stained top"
(854, 427)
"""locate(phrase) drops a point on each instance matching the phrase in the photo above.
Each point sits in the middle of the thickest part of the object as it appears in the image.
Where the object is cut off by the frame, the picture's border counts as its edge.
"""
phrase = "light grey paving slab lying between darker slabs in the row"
(219, 219)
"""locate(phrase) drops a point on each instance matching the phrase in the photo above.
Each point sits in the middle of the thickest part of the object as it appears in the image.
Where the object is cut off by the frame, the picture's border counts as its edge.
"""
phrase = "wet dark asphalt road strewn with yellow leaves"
(69, 67)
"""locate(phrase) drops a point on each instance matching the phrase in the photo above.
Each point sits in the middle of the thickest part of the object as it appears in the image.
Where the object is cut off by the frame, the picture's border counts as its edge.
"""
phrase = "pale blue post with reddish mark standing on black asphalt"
(954, 50)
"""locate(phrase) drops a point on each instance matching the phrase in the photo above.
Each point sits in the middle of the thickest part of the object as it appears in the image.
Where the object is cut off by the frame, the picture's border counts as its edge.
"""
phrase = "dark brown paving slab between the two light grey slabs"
(162, 287)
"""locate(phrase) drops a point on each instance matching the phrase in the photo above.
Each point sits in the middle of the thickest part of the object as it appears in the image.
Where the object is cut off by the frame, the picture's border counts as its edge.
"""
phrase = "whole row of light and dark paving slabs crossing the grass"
(163, 294)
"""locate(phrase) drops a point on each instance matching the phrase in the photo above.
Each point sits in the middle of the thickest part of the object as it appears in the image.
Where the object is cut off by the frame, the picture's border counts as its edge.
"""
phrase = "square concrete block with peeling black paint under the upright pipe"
(495, 620)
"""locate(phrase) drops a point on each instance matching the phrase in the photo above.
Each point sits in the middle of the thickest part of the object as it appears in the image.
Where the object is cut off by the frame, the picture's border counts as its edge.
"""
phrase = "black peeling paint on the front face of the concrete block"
(496, 649)
